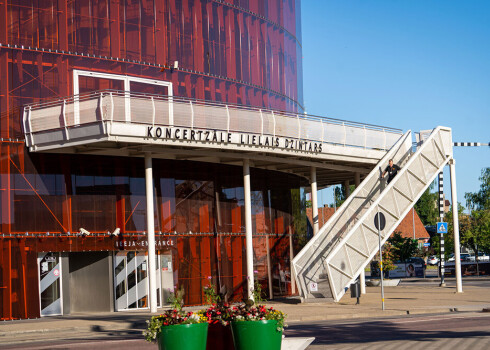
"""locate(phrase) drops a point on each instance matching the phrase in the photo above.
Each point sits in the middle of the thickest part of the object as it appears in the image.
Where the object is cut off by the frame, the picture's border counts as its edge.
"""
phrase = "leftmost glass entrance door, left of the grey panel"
(49, 268)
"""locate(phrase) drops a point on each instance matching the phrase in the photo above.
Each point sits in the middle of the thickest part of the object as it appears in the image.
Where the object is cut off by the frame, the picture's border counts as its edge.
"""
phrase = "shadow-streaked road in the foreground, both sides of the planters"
(447, 331)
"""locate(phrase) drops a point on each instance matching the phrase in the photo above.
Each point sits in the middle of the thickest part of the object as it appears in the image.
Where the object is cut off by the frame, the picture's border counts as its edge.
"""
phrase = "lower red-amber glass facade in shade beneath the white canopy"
(199, 213)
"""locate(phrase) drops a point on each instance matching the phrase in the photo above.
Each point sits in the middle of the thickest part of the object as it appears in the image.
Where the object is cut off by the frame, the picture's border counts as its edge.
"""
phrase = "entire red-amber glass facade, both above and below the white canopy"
(242, 51)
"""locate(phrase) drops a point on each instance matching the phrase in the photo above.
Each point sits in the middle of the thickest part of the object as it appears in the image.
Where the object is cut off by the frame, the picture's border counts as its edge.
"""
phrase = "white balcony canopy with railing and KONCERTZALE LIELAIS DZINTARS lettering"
(124, 123)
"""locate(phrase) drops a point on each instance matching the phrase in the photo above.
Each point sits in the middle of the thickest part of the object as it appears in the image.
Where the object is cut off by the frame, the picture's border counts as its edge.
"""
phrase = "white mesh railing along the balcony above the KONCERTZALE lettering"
(110, 106)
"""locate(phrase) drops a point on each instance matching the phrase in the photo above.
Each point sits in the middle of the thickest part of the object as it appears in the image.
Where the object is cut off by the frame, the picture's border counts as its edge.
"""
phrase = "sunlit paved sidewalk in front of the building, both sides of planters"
(408, 298)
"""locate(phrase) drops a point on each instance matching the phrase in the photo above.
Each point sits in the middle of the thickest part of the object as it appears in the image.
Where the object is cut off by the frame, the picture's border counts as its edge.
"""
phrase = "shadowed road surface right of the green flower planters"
(448, 331)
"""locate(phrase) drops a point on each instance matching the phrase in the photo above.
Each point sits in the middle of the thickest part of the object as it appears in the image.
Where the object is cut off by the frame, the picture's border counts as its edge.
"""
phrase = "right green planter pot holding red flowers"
(256, 335)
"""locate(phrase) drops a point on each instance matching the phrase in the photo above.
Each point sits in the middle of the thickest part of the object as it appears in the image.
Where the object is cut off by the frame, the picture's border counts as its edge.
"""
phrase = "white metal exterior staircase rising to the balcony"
(336, 255)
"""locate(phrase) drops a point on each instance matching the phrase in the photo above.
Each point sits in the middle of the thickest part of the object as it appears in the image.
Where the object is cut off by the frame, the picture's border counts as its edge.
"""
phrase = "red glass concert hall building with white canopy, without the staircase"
(188, 109)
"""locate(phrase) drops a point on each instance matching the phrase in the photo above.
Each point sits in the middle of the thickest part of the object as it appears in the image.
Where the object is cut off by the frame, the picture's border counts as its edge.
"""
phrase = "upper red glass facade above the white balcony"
(245, 52)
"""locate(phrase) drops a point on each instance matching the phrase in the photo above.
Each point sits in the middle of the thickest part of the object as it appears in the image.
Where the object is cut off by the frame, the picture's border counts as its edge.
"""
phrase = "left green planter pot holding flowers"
(183, 337)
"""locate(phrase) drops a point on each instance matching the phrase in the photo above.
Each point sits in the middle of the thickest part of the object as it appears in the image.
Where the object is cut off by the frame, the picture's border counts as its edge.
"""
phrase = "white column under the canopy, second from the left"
(248, 228)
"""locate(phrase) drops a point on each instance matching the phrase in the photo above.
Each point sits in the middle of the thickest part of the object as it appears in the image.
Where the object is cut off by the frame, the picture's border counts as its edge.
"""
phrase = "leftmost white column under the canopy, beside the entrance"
(150, 227)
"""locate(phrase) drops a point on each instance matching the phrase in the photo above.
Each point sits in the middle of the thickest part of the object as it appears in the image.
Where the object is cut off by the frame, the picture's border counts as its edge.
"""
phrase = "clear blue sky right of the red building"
(411, 65)
